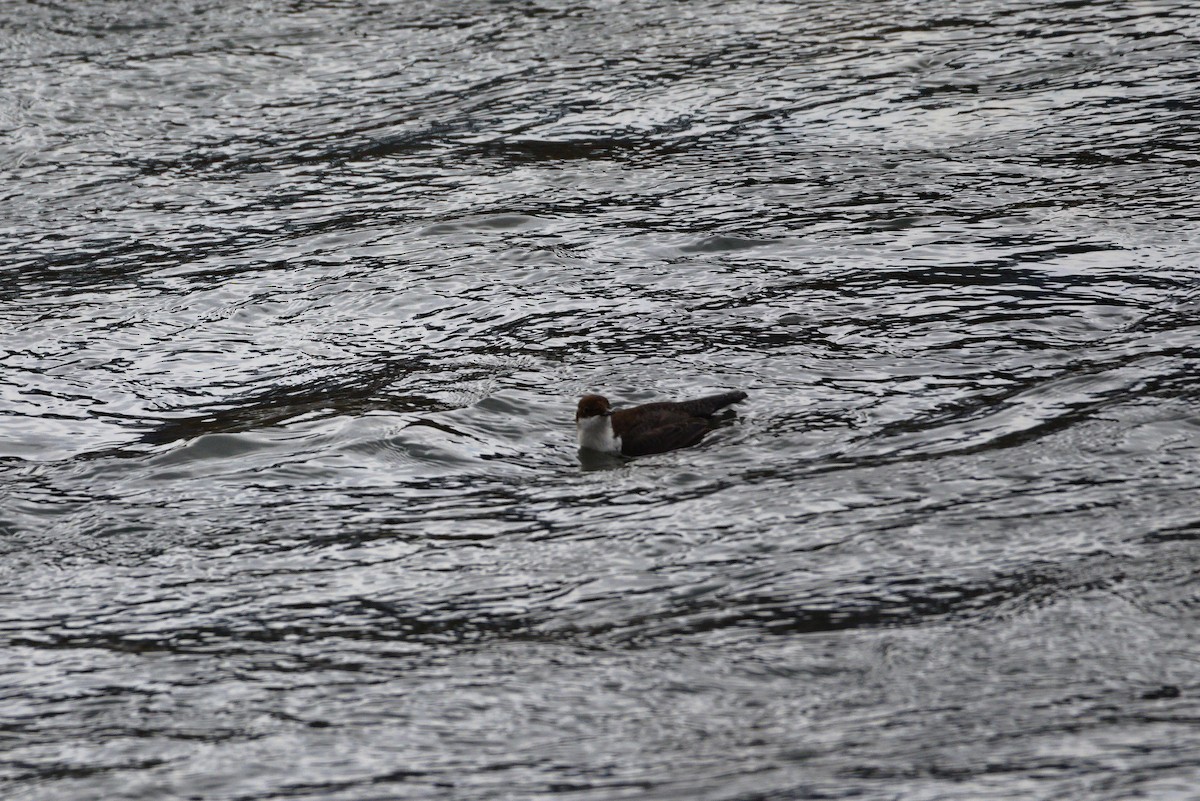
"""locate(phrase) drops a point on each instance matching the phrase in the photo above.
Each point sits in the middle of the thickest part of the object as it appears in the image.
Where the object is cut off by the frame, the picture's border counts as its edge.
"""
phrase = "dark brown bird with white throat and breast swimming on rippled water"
(650, 429)
